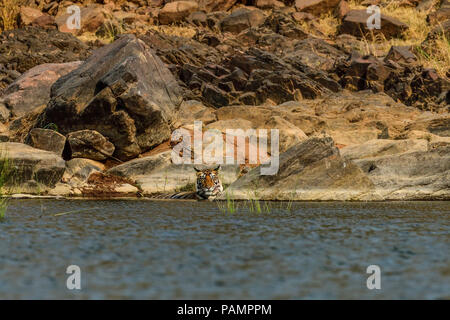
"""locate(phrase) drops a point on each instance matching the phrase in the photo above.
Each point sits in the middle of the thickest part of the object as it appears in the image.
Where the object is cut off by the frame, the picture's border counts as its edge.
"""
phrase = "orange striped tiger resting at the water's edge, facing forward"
(208, 186)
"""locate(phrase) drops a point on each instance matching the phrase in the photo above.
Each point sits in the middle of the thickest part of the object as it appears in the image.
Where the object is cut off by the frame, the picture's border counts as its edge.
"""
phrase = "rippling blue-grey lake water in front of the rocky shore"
(192, 250)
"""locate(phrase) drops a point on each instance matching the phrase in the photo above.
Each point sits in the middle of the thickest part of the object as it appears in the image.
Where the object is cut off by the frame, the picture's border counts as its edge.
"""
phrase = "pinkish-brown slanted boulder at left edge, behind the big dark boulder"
(32, 89)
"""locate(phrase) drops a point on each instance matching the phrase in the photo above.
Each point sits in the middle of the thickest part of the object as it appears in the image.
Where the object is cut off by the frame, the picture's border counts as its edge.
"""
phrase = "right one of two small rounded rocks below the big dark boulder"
(89, 144)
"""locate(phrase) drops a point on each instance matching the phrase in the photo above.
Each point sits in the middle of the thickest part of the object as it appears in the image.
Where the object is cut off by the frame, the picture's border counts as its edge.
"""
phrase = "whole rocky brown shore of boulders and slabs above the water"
(86, 115)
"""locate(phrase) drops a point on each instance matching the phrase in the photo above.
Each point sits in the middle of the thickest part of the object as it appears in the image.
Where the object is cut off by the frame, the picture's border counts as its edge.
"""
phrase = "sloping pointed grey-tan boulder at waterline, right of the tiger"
(310, 170)
